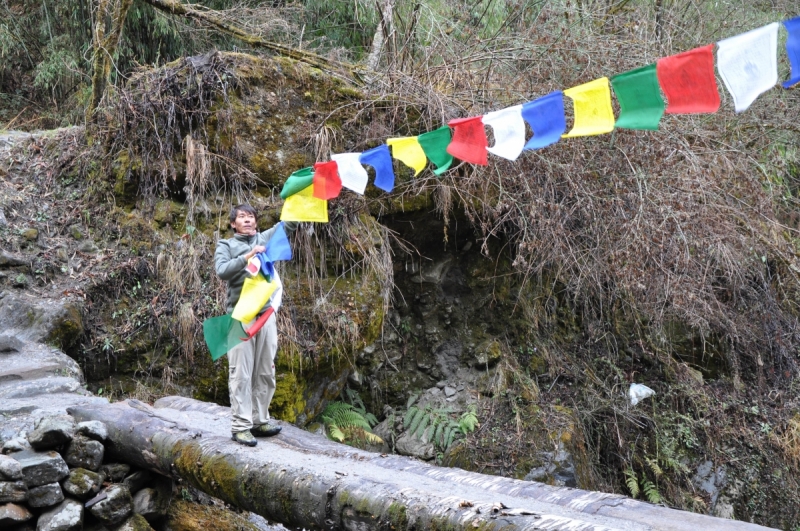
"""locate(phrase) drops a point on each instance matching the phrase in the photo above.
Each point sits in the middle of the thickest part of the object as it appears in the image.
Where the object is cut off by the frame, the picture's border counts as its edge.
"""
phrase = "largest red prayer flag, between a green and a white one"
(688, 82)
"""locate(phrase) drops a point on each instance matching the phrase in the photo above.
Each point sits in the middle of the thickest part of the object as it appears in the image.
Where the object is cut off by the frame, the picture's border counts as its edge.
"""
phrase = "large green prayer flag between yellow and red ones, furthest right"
(639, 96)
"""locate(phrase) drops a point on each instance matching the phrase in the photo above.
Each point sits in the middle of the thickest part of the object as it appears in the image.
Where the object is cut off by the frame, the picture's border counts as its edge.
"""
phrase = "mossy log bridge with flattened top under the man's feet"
(303, 480)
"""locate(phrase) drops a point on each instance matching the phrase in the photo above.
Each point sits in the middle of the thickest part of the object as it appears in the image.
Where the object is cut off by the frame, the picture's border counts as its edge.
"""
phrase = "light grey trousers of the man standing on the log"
(251, 378)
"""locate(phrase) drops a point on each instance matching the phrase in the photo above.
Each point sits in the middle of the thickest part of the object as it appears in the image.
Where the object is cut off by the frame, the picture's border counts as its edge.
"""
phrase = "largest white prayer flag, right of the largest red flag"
(748, 64)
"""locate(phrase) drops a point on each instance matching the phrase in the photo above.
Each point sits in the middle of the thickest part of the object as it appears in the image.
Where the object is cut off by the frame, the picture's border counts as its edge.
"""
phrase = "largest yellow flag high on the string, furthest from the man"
(593, 112)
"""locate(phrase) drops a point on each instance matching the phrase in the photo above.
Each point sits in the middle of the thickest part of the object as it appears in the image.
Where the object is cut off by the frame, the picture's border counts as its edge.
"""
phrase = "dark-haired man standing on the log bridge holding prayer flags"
(251, 379)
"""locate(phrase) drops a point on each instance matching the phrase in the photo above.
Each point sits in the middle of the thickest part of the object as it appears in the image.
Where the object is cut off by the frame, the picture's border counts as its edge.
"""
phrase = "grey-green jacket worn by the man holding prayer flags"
(229, 262)
